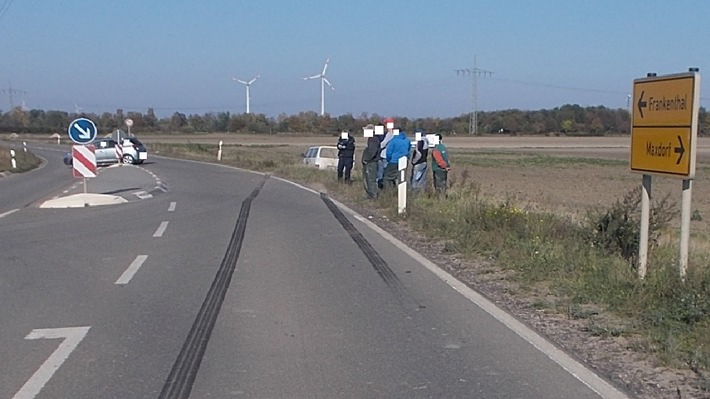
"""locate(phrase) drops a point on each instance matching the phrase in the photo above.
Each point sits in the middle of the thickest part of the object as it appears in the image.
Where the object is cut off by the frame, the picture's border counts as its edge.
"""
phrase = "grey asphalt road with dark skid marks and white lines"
(233, 284)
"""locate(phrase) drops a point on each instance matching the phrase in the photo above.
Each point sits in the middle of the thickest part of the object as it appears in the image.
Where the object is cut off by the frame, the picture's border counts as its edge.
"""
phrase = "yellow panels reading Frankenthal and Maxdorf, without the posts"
(664, 124)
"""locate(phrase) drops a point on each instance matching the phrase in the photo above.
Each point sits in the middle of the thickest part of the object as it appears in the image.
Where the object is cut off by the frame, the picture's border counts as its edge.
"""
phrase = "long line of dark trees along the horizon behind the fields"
(567, 119)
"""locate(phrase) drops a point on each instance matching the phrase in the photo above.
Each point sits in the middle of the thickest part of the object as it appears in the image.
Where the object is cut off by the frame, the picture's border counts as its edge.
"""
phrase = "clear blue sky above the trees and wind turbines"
(389, 57)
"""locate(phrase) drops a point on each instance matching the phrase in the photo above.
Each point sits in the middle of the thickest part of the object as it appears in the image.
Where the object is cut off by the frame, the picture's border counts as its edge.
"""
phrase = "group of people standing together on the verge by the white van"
(380, 160)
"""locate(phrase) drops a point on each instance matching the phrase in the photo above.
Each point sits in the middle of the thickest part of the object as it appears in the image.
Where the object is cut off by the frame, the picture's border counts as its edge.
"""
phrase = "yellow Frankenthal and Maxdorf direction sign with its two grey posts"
(664, 133)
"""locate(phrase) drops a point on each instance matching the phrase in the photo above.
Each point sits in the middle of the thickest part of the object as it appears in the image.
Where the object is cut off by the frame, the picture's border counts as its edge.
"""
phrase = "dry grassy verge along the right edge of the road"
(578, 265)
